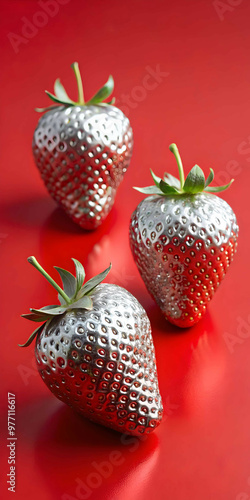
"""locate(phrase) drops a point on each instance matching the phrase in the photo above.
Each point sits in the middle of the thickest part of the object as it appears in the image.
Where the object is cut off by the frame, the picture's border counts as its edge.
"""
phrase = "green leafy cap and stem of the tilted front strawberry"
(75, 294)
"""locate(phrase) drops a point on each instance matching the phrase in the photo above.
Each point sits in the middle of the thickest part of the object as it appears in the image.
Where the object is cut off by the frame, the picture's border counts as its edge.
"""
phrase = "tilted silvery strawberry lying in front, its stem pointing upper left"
(95, 352)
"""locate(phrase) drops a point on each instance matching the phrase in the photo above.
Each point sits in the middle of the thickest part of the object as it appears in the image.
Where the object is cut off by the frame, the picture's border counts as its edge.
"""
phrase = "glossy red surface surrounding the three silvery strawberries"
(200, 100)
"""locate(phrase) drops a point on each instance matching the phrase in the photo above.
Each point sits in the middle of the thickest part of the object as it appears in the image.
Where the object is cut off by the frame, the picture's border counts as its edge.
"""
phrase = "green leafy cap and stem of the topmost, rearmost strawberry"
(60, 96)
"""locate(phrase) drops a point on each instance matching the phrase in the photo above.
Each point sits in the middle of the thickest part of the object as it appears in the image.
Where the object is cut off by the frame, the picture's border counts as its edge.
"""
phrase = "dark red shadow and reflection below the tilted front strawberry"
(72, 452)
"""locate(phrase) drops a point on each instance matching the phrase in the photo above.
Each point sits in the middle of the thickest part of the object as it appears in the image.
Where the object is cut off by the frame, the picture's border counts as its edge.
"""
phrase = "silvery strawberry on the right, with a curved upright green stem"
(183, 239)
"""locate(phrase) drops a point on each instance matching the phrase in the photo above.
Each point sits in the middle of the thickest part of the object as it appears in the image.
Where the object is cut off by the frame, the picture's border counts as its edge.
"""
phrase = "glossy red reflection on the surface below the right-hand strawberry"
(190, 364)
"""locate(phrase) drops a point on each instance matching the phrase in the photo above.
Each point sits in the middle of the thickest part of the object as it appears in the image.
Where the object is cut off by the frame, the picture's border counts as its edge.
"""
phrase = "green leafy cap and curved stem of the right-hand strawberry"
(194, 183)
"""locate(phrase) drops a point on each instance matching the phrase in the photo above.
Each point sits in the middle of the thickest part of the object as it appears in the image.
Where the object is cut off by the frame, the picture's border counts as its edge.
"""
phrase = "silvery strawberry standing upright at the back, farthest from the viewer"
(82, 150)
